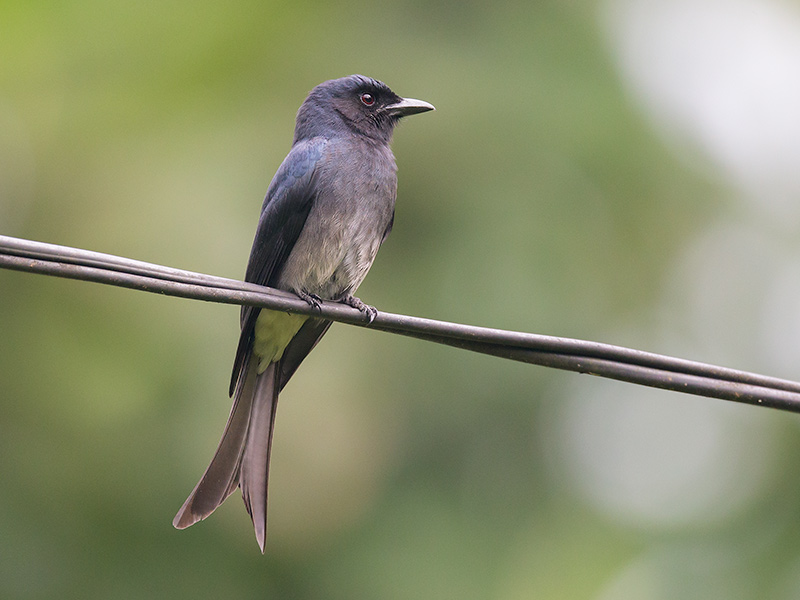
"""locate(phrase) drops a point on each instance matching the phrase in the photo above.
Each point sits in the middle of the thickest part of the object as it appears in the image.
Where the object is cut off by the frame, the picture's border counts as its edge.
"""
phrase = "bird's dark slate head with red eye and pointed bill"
(354, 104)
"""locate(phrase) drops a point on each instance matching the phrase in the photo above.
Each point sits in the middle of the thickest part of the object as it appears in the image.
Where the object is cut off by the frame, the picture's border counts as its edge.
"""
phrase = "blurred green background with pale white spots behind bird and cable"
(625, 171)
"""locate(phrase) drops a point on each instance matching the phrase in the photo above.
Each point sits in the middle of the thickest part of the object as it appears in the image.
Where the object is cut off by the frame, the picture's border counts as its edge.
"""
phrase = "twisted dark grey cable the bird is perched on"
(604, 360)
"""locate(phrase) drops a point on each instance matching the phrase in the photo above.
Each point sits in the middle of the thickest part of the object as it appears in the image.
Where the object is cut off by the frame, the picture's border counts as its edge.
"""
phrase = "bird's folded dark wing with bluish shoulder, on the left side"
(283, 215)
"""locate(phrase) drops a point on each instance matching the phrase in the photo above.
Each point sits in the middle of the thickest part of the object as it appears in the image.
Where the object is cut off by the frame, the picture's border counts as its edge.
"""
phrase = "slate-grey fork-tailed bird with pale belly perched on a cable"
(327, 210)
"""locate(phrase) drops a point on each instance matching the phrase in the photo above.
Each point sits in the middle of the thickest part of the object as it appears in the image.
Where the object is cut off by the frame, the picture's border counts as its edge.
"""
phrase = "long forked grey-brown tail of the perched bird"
(242, 457)
